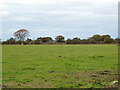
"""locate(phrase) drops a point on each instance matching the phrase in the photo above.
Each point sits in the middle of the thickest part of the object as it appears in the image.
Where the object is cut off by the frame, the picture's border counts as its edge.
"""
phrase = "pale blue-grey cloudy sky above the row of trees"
(70, 18)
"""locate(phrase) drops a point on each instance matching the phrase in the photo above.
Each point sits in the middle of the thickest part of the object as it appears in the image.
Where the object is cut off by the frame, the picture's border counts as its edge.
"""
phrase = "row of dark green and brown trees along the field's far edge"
(22, 37)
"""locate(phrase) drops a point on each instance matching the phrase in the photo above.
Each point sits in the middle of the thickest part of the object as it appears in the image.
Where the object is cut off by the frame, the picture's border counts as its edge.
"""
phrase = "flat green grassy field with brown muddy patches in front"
(59, 66)
